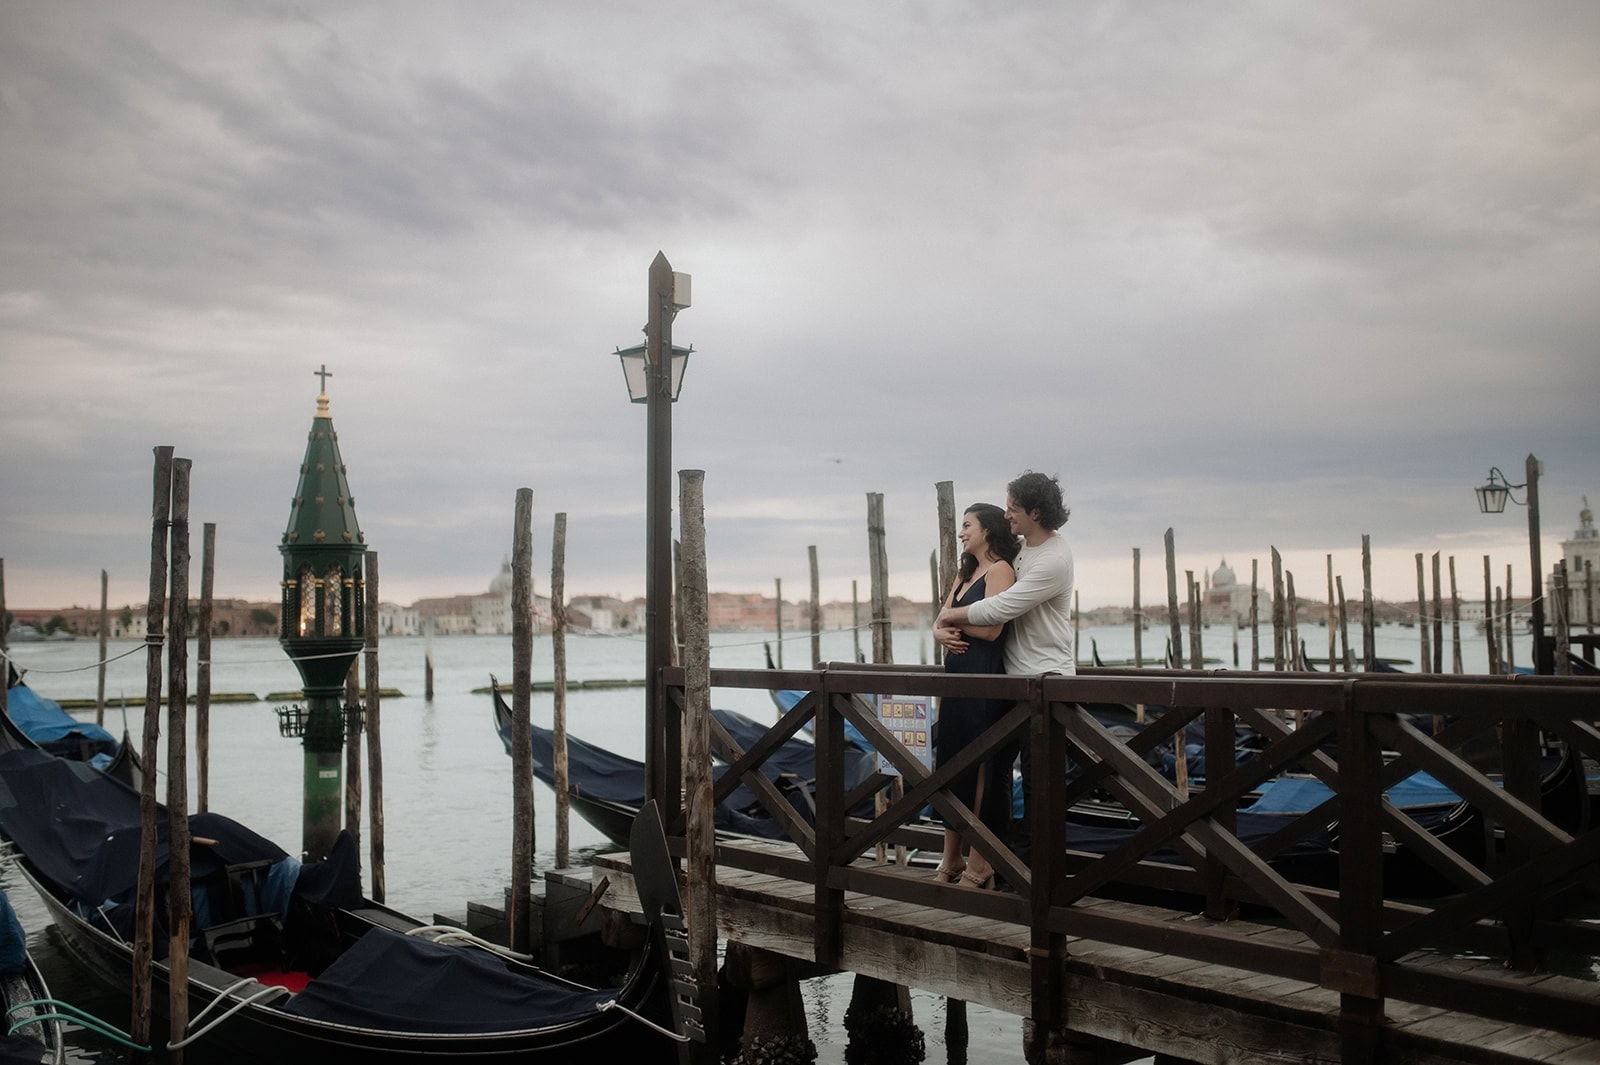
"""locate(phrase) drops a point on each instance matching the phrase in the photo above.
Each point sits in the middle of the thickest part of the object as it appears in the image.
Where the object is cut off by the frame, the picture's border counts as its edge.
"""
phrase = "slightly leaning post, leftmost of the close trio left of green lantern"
(154, 628)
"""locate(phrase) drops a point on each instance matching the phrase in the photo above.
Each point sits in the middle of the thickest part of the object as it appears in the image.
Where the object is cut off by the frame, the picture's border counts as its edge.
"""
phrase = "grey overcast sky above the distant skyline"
(1271, 276)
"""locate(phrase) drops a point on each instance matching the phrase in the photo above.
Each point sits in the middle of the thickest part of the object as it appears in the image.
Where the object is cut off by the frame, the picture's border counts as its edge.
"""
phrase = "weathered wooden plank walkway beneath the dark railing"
(1154, 1002)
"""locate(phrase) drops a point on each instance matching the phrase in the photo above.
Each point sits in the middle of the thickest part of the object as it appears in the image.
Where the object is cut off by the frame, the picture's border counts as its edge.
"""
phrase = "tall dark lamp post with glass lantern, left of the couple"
(655, 380)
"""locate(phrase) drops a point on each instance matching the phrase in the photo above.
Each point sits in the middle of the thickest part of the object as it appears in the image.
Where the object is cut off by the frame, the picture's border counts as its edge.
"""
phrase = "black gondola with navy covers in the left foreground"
(295, 960)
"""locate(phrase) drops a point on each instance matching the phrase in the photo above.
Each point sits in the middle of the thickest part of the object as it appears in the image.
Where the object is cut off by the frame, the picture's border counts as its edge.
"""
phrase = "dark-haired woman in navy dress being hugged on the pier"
(988, 551)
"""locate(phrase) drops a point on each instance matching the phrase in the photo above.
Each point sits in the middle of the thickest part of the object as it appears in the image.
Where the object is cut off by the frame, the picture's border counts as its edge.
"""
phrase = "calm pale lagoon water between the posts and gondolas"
(447, 780)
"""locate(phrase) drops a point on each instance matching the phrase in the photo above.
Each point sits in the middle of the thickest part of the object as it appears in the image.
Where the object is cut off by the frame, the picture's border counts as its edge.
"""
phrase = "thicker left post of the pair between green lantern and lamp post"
(521, 727)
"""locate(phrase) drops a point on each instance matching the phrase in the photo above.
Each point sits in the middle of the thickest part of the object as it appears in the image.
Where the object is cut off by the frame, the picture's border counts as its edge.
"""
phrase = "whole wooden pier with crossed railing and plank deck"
(1183, 938)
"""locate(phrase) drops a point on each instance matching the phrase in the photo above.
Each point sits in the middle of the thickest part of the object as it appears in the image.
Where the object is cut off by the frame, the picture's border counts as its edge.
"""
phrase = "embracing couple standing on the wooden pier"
(1010, 612)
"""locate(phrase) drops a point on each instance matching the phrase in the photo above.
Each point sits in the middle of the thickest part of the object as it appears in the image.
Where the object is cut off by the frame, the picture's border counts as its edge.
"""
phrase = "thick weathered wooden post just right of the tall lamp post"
(700, 834)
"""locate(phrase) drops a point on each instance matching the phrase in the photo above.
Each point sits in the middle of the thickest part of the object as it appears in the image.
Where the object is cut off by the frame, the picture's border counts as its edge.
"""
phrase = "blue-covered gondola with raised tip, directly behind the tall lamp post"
(607, 789)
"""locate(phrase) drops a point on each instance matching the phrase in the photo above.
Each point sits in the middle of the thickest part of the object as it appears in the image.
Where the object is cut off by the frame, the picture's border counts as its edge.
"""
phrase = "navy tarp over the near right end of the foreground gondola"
(406, 984)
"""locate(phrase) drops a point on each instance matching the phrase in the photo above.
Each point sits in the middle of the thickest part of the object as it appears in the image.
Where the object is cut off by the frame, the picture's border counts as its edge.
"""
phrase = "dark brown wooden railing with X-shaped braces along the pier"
(1511, 861)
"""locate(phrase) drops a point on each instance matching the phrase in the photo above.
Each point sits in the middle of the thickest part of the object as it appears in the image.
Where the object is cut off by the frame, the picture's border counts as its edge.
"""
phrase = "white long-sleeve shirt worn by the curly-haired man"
(1039, 608)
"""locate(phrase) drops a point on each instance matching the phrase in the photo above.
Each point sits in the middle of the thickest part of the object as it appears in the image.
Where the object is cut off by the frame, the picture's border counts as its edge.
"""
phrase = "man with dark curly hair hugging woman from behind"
(1038, 608)
